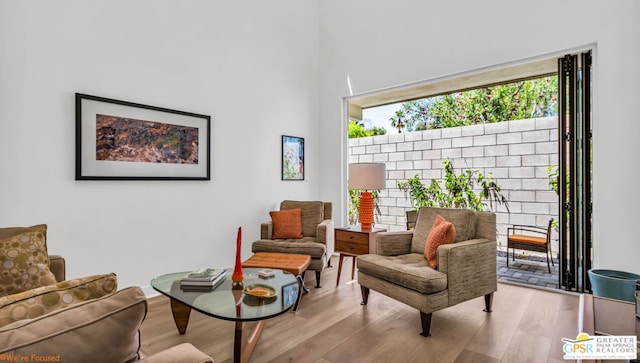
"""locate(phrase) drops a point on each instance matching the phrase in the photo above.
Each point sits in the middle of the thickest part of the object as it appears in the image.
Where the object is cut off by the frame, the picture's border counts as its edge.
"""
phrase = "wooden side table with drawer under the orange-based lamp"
(353, 241)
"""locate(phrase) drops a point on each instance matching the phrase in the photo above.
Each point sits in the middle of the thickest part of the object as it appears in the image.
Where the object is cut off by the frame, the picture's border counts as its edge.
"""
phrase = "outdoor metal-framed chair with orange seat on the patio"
(530, 238)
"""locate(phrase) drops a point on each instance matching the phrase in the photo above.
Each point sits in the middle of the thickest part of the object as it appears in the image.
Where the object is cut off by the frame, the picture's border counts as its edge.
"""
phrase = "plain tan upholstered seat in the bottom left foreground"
(105, 329)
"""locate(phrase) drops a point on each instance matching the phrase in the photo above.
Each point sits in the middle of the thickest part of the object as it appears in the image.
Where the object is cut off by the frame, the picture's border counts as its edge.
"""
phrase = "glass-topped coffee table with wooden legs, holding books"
(226, 303)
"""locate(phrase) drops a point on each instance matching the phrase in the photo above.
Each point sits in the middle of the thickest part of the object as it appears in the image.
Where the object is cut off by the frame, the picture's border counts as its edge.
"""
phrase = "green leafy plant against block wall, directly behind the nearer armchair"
(469, 190)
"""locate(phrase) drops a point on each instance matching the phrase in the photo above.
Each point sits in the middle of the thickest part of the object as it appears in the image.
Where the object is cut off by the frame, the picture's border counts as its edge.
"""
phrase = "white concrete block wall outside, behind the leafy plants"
(517, 153)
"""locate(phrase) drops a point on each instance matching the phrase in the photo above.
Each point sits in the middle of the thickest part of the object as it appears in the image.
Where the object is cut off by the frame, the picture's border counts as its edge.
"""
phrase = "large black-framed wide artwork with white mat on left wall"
(119, 140)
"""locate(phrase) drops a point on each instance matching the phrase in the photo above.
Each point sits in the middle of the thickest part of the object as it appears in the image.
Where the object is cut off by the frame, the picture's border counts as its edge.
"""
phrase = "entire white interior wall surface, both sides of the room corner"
(263, 69)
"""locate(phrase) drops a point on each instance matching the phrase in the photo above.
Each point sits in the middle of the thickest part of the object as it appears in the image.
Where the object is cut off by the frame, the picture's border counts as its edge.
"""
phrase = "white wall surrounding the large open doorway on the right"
(381, 44)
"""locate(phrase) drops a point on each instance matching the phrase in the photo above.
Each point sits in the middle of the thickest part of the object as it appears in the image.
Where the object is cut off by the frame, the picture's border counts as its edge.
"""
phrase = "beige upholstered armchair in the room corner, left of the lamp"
(316, 234)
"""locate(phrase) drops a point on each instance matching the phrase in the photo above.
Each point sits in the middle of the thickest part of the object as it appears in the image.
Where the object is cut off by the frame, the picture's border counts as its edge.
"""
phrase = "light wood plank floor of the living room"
(526, 325)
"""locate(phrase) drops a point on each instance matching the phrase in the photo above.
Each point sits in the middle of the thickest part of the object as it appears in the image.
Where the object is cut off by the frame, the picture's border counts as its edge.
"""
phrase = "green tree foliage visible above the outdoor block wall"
(513, 101)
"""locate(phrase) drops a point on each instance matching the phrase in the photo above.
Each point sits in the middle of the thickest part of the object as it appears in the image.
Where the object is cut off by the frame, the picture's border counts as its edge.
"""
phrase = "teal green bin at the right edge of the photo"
(613, 284)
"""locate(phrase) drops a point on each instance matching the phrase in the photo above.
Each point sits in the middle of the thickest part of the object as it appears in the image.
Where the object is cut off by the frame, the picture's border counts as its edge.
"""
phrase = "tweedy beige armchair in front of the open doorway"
(466, 268)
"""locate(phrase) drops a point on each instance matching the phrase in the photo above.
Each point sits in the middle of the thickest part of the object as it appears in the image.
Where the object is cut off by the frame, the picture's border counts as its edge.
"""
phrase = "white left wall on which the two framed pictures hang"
(250, 65)
